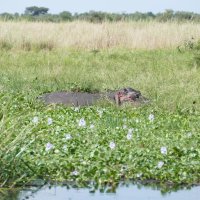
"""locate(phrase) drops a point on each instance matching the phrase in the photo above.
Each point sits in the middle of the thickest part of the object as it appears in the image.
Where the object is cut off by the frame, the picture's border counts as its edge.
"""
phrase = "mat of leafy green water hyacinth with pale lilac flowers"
(63, 150)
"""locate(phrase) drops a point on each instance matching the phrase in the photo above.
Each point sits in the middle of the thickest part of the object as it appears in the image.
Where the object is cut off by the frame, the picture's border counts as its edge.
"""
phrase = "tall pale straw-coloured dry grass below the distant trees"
(143, 35)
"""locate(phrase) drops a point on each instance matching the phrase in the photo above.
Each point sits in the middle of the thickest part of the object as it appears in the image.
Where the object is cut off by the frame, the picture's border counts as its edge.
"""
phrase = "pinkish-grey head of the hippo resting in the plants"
(129, 95)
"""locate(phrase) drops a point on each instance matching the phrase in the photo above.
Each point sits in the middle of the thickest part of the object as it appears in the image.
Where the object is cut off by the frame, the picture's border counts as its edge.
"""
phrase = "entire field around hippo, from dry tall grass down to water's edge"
(158, 141)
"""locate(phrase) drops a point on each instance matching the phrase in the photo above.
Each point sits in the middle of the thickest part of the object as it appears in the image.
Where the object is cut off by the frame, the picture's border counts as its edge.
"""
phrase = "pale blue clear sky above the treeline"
(119, 6)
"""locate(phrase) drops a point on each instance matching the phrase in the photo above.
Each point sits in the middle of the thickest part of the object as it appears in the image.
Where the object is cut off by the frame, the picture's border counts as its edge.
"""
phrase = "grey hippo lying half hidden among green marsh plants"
(86, 99)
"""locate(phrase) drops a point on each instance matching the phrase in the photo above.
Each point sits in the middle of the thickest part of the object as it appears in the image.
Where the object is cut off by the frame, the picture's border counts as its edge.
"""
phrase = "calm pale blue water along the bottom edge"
(130, 192)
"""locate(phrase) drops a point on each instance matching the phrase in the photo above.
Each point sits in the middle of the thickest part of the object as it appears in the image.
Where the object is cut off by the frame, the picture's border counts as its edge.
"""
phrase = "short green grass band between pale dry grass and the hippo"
(167, 77)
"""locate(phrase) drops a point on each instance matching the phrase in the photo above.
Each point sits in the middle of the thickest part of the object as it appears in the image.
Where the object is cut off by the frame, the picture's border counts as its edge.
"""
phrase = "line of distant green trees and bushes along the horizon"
(35, 13)
